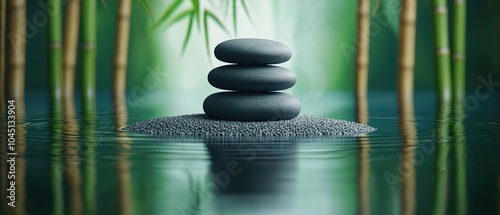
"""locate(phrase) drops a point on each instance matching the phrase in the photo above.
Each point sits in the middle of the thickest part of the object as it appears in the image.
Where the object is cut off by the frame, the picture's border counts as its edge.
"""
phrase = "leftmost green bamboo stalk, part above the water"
(55, 52)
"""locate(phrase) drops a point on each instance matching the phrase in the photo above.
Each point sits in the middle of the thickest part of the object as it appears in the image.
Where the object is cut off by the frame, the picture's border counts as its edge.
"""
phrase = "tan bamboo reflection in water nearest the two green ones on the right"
(409, 136)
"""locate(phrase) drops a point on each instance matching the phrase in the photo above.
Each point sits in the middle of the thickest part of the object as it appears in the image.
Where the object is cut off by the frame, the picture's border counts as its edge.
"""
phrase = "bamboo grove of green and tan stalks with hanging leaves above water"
(450, 55)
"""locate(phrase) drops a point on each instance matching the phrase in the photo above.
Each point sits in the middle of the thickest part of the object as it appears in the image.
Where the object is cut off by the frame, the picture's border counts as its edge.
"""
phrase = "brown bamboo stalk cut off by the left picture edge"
(3, 55)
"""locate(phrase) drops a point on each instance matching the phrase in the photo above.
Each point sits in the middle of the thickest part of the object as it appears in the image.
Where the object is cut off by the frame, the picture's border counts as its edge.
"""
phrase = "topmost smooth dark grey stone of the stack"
(252, 51)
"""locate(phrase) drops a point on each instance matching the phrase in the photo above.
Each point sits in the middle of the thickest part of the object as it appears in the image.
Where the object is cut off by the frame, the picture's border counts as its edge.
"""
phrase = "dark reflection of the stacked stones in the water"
(251, 175)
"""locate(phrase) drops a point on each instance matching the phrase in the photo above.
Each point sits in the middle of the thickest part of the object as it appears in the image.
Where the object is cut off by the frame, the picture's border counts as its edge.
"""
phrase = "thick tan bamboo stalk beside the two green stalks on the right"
(408, 19)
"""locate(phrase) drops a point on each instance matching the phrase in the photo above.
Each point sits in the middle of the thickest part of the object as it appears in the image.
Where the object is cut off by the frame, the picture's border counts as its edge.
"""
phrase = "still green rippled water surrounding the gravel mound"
(423, 159)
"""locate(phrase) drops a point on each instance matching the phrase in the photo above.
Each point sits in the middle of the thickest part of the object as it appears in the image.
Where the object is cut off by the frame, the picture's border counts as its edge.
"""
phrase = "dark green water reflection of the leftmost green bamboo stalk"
(56, 162)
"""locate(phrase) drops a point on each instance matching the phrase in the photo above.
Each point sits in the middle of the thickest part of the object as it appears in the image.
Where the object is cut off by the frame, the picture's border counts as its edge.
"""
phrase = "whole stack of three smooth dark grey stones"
(251, 82)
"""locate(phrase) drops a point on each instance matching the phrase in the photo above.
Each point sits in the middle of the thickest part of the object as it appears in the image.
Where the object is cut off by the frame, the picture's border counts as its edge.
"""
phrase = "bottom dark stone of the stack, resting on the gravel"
(251, 106)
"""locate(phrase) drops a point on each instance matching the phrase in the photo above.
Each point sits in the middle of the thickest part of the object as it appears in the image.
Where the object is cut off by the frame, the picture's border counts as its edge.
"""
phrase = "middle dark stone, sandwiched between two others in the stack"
(252, 78)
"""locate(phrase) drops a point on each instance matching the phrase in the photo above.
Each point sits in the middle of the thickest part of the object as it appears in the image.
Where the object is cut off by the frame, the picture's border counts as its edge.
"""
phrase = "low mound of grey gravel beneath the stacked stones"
(202, 125)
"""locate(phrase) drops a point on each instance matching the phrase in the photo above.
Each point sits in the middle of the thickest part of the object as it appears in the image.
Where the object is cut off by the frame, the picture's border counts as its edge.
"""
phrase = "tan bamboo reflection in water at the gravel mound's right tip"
(364, 159)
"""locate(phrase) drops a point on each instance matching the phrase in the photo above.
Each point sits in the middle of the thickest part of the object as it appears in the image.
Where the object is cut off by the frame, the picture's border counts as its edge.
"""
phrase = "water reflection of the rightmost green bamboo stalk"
(459, 140)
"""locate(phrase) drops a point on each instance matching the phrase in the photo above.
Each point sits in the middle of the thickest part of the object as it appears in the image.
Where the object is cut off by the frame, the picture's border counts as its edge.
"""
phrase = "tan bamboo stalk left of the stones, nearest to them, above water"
(121, 48)
